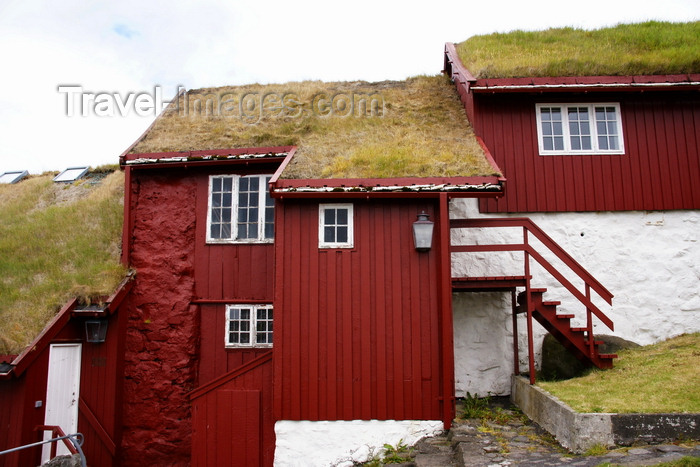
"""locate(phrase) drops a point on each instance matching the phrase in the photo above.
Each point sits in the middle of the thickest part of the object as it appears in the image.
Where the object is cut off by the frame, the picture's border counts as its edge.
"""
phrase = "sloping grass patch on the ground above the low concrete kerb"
(651, 379)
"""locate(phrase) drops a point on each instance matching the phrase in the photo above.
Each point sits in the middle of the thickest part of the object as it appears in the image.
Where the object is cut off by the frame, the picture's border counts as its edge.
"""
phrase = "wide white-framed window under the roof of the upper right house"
(594, 128)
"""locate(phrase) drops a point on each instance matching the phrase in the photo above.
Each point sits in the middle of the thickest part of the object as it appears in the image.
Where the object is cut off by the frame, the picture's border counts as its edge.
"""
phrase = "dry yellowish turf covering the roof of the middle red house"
(411, 128)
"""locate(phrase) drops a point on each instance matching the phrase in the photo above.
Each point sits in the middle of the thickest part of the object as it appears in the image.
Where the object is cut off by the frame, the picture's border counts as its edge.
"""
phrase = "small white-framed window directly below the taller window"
(249, 326)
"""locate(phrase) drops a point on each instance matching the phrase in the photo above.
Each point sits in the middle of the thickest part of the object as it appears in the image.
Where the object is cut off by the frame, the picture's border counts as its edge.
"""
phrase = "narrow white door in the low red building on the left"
(62, 393)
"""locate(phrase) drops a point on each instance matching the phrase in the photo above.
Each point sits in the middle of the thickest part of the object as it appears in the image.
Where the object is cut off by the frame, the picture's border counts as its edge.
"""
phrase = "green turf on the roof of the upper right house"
(627, 49)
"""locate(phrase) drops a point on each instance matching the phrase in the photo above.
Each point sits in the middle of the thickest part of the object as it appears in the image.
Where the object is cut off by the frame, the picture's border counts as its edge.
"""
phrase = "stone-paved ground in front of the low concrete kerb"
(514, 440)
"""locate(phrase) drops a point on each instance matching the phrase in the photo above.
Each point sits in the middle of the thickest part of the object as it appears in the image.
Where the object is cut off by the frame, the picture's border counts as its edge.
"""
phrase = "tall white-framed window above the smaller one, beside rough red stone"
(240, 209)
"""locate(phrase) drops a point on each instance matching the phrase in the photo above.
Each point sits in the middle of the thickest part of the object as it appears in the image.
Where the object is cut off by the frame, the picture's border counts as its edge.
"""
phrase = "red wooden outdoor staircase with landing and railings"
(580, 341)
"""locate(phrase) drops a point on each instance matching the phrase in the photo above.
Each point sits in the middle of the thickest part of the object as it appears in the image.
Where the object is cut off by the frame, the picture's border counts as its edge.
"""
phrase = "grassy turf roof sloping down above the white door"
(56, 241)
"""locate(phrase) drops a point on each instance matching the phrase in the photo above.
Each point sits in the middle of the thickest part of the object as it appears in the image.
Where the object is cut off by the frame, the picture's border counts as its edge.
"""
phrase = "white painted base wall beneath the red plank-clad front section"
(343, 443)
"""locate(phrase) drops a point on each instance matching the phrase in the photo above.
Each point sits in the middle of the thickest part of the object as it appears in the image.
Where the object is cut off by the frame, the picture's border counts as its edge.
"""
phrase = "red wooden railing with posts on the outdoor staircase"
(529, 251)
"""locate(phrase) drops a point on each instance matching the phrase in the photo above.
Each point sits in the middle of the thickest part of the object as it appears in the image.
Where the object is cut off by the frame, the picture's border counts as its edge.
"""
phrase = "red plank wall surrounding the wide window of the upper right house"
(659, 170)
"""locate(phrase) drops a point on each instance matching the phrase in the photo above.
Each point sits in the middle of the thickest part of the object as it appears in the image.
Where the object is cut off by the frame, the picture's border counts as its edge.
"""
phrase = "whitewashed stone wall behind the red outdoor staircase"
(650, 262)
